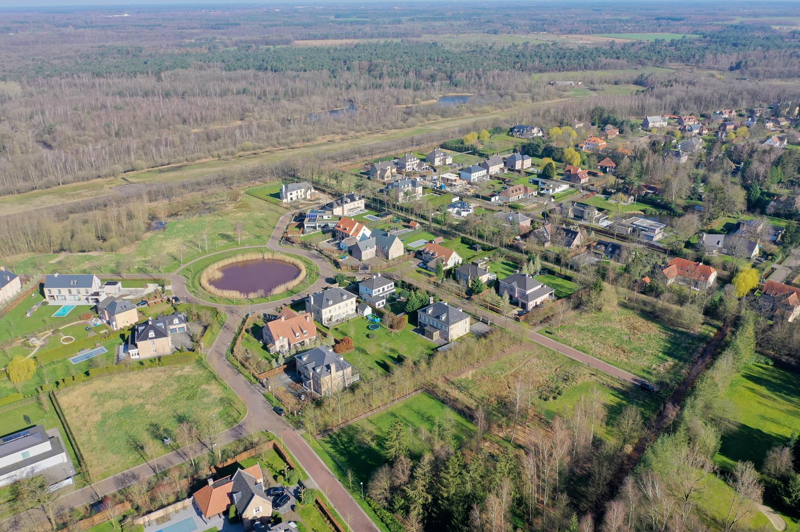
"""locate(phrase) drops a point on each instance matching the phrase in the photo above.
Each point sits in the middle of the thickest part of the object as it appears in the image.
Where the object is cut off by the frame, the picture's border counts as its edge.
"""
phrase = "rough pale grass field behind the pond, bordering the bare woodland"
(160, 251)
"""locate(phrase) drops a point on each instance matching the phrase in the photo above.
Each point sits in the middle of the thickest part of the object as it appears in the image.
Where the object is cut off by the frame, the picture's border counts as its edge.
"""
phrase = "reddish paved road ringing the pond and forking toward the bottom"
(260, 416)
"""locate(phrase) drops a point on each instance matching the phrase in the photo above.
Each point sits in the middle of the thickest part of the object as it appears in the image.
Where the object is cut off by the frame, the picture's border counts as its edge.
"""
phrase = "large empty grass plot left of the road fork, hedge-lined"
(111, 416)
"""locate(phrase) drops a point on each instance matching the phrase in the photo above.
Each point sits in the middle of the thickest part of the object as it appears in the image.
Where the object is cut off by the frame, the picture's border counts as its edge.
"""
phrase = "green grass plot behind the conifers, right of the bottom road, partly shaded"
(358, 447)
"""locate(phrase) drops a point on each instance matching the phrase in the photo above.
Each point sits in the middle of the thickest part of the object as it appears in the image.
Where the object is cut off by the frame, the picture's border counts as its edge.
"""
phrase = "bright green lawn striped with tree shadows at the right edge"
(766, 410)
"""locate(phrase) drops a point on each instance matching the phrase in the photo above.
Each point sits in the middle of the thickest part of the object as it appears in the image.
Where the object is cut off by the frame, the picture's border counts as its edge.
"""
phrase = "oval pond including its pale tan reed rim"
(252, 278)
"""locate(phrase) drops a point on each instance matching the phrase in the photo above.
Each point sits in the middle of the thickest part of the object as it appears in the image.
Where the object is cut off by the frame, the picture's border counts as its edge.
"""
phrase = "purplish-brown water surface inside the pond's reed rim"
(253, 275)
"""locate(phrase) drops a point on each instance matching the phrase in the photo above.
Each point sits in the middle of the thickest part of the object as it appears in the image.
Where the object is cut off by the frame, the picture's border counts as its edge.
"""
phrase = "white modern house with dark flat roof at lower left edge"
(29, 452)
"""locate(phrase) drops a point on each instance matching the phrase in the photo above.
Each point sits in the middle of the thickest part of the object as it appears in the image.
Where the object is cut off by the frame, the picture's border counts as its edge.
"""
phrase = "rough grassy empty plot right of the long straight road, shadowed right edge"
(632, 341)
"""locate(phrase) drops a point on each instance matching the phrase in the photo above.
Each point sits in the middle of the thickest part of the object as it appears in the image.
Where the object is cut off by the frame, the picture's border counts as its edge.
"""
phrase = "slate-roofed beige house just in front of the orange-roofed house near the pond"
(324, 372)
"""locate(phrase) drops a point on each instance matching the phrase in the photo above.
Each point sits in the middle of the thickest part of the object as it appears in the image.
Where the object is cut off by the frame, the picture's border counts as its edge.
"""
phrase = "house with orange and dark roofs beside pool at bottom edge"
(244, 489)
